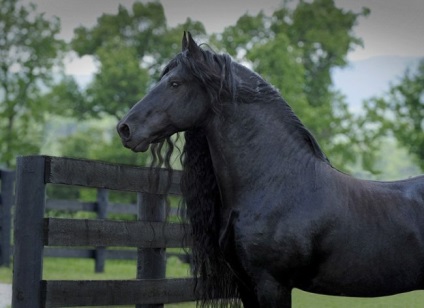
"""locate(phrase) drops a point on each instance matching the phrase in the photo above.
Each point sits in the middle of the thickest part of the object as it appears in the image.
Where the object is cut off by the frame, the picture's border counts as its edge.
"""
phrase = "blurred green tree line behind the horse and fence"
(295, 49)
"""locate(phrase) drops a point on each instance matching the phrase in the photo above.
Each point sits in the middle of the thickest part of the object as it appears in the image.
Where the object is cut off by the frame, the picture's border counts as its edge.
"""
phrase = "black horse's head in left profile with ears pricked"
(179, 101)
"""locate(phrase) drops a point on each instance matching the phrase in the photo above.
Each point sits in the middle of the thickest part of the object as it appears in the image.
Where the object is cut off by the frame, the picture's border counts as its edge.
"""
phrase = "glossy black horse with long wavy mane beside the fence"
(268, 211)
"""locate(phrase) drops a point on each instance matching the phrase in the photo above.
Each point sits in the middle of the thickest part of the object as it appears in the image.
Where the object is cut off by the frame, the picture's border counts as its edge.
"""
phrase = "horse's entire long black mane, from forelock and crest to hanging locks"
(225, 82)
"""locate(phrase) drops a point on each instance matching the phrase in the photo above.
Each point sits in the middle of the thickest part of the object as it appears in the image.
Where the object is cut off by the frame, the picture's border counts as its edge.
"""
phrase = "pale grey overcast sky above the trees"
(394, 27)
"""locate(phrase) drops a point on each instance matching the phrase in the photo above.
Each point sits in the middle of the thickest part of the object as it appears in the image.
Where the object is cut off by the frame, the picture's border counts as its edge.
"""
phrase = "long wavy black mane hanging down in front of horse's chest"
(216, 285)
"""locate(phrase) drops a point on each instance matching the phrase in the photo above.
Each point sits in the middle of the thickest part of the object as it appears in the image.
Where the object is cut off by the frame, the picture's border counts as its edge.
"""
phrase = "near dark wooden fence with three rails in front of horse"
(151, 235)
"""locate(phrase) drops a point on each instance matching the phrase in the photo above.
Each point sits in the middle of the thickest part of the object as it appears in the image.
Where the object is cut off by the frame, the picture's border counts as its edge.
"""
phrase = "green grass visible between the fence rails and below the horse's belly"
(80, 269)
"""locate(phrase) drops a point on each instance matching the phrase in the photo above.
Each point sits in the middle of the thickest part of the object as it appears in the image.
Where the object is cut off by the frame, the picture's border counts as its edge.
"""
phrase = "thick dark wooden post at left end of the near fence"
(28, 250)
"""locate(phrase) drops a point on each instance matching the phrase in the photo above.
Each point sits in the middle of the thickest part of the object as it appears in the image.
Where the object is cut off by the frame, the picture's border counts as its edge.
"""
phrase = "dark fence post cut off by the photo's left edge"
(6, 203)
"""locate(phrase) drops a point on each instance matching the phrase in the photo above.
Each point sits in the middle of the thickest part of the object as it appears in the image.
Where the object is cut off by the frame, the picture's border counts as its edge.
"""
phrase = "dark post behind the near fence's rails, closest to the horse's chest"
(151, 262)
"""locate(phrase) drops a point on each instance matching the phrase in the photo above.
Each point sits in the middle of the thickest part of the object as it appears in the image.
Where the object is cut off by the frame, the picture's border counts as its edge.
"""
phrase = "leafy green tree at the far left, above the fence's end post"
(28, 53)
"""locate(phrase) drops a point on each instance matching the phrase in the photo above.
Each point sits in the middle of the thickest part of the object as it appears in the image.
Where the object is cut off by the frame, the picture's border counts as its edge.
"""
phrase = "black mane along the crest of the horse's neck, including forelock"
(219, 76)
